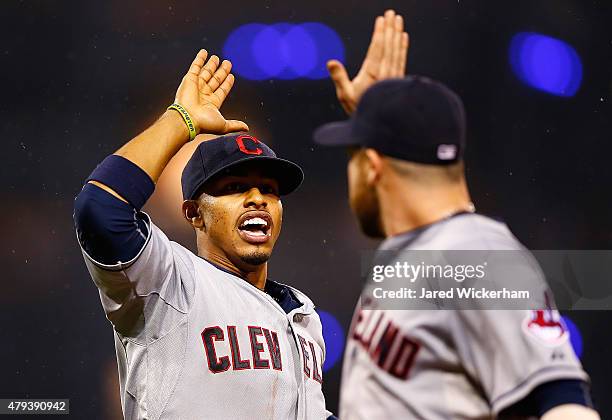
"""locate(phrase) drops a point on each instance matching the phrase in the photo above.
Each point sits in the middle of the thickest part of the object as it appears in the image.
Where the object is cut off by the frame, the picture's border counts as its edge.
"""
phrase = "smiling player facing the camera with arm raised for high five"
(206, 335)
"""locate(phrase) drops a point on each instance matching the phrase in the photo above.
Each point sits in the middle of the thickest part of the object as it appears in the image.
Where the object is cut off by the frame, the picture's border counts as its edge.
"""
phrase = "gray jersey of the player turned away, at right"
(450, 364)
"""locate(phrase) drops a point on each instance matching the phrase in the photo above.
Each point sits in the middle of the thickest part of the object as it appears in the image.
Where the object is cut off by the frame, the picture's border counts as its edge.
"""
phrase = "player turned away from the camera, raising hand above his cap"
(406, 139)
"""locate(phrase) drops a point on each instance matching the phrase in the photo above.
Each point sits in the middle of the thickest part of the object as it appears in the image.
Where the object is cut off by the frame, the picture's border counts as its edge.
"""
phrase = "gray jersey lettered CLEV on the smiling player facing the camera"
(194, 341)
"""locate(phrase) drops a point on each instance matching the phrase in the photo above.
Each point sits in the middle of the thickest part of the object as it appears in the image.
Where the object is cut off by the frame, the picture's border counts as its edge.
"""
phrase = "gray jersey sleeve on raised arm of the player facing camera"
(160, 274)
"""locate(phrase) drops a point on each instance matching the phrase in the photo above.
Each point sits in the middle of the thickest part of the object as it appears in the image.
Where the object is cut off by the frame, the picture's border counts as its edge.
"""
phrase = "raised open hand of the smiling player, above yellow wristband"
(202, 92)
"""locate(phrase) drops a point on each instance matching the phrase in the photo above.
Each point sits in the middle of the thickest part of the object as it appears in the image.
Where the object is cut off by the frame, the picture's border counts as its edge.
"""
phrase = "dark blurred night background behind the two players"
(81, 78)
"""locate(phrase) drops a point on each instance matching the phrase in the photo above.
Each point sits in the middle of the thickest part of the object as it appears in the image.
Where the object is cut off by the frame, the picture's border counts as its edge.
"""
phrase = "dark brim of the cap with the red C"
(288, 174)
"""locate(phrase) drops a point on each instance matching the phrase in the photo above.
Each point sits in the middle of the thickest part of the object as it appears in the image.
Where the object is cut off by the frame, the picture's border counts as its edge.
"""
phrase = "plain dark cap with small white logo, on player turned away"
(415, 119)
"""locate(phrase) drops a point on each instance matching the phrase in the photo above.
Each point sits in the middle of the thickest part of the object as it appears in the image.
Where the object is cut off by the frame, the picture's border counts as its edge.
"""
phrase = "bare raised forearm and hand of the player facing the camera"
(201, 93)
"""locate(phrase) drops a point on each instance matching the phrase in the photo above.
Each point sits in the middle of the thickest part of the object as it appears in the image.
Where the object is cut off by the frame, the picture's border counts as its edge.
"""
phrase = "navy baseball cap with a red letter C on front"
(227, 153)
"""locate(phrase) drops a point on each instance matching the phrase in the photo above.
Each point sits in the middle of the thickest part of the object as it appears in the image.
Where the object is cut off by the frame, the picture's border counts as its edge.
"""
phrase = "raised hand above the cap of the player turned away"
(385, 59)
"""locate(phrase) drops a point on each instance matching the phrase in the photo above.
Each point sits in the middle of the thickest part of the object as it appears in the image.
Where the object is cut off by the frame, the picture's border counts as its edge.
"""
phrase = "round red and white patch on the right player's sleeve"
(546, 326)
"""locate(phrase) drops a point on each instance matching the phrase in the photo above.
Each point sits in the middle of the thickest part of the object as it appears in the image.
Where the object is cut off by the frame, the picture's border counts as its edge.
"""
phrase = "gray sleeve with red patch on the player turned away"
(510, 352)
